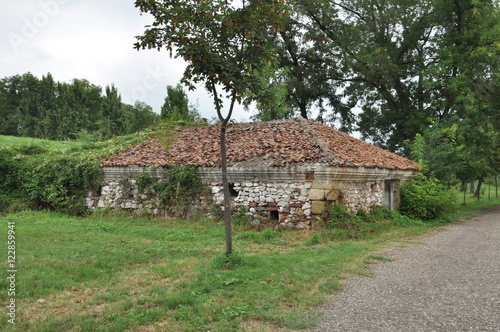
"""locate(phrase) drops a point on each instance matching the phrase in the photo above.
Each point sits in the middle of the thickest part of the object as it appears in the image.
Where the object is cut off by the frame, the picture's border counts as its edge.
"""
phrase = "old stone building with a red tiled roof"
(288, 171)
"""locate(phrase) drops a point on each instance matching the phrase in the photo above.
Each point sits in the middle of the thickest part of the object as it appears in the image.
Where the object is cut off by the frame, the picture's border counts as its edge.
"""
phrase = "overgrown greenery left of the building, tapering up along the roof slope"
(46, 175)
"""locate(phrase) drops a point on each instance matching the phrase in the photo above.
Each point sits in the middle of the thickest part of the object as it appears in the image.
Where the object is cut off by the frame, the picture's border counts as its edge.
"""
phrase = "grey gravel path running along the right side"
(449, 283)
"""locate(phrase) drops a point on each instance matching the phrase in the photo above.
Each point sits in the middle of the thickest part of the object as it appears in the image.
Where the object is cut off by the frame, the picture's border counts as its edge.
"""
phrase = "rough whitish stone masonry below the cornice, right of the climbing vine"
(295, 205)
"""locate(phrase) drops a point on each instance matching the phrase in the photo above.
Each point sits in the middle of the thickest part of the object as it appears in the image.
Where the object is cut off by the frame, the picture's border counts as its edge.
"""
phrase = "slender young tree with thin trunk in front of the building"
(223, 43)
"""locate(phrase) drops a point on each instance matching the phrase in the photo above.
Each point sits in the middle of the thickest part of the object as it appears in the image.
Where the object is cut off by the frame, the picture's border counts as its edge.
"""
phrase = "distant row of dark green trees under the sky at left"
(44, 108)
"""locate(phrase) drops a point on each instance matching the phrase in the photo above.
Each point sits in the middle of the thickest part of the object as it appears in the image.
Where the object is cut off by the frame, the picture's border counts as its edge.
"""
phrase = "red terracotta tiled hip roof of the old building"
(276, 143)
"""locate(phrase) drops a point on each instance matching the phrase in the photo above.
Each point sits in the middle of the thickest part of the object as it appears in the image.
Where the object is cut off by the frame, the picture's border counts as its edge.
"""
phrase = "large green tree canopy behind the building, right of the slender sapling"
(404, 64)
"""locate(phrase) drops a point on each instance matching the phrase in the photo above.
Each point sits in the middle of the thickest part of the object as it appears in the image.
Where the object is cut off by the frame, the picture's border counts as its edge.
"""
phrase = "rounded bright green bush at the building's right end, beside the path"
(425, 199)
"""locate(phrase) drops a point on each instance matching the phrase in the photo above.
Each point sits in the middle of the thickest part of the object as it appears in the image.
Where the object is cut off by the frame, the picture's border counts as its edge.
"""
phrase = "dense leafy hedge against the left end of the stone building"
(33, 179)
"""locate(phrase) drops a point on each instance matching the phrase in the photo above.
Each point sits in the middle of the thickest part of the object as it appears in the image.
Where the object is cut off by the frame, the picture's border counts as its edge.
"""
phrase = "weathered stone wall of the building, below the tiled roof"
(291, 197)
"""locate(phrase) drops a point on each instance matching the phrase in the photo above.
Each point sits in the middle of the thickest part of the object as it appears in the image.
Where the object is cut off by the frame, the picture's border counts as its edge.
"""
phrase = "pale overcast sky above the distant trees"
(93, 40)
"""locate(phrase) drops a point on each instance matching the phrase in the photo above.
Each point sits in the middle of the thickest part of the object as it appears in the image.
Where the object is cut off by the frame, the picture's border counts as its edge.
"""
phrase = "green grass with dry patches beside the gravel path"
(112, 272)
